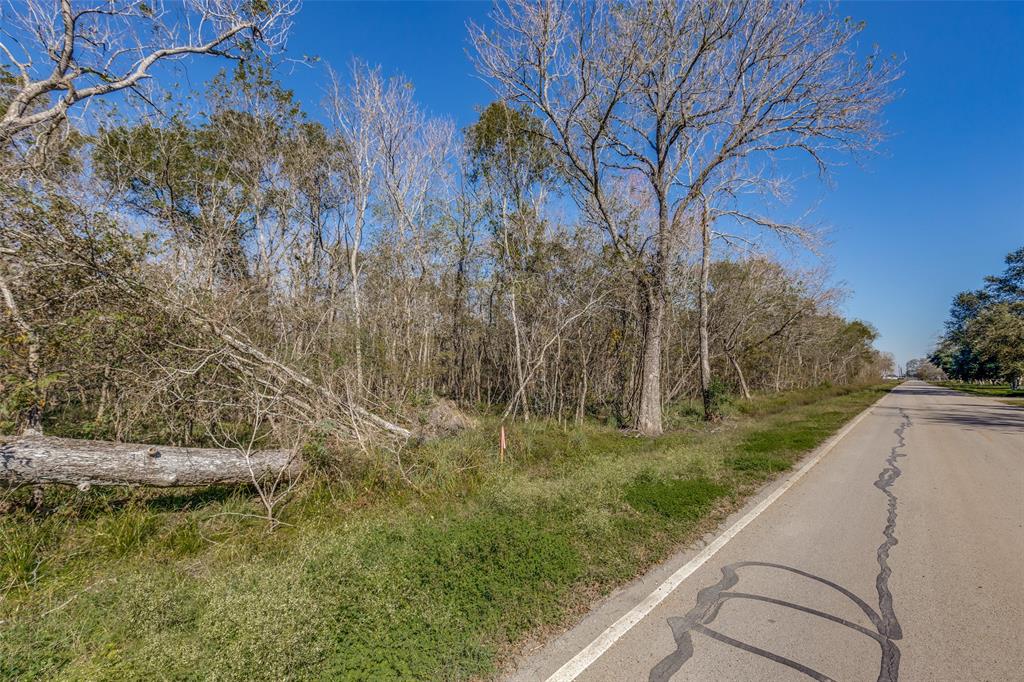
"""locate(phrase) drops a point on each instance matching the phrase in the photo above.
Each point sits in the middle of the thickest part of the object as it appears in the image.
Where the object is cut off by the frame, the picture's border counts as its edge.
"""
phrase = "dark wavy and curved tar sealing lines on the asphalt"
(711, 600)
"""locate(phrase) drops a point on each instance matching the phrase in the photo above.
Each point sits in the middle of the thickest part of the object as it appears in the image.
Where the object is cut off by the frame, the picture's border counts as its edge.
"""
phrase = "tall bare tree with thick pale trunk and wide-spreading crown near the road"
(681, 95)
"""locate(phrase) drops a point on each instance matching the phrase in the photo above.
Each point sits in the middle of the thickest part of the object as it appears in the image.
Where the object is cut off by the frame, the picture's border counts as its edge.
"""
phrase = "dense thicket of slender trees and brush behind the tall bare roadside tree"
(238, 264)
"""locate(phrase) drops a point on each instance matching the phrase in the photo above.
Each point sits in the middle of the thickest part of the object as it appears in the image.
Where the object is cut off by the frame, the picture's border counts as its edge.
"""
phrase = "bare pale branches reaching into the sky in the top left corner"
(68, 53)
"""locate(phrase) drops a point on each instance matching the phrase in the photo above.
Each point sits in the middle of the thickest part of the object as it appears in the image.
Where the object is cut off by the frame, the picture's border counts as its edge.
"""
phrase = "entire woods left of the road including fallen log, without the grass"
(233, 268)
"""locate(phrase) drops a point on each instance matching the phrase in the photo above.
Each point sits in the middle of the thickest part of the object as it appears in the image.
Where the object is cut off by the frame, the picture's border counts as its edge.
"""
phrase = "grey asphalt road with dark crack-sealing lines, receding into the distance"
(900, 556)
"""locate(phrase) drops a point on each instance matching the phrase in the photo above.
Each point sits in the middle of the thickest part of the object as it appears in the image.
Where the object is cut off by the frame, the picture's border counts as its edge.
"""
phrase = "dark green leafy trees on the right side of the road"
(985, 336)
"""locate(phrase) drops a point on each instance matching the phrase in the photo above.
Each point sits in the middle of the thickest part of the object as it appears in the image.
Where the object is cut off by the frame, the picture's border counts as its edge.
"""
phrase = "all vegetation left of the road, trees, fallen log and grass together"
(350, 300)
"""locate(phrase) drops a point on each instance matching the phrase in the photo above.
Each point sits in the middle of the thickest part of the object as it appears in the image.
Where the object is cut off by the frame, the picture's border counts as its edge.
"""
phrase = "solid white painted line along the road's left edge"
(604, 643)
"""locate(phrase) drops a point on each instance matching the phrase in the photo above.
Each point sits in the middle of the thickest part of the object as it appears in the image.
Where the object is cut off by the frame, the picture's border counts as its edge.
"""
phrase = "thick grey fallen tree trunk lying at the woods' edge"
(36, 459)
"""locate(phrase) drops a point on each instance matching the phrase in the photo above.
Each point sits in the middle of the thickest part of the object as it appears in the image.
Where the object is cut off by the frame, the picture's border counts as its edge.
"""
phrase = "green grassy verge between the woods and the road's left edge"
(380, 580)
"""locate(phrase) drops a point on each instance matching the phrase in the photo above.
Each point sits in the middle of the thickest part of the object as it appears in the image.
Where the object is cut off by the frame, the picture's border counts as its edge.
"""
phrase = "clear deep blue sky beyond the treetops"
(929, 218)
